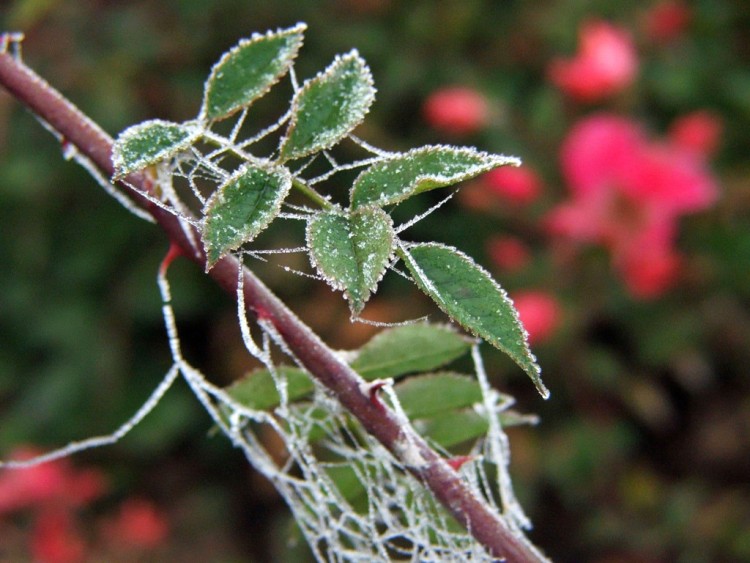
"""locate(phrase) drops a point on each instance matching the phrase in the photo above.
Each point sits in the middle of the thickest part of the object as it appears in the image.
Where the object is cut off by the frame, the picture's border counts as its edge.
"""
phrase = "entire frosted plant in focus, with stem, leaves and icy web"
(362, 429)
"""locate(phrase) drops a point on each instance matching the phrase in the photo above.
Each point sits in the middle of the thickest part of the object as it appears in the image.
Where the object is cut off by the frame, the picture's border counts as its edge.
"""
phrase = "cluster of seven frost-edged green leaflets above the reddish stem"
(350, 248)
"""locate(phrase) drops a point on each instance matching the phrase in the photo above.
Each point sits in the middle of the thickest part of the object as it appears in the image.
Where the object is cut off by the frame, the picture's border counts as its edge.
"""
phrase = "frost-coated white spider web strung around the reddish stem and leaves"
(351, 498)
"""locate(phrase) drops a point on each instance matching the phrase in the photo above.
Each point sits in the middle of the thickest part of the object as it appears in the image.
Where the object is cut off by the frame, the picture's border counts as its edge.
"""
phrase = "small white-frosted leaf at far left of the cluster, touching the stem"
(149, 142)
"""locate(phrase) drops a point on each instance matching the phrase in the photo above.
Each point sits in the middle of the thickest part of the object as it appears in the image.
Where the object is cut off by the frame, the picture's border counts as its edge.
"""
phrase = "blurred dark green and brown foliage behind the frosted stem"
(643, 452)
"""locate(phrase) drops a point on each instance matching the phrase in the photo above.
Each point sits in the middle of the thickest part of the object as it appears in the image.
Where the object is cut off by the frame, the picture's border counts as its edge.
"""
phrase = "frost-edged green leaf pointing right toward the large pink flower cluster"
(404, 175)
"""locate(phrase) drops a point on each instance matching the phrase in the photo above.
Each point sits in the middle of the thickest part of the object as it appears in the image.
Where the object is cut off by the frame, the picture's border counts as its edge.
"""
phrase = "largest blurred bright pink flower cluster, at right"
(627, 194)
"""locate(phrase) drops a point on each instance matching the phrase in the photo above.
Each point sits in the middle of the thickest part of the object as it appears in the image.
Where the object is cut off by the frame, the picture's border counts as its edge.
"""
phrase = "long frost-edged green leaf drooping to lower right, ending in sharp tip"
(469, 295)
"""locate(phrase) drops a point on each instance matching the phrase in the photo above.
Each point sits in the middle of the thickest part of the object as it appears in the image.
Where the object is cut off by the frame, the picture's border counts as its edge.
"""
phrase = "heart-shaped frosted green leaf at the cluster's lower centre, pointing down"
(351, 250)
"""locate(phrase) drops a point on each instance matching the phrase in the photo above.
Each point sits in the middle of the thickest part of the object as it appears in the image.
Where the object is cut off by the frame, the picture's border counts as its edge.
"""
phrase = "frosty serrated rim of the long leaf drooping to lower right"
(437, 297)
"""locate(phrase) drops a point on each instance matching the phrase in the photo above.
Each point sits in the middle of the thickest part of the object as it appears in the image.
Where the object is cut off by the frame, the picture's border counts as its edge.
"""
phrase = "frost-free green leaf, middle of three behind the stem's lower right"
(428, 395)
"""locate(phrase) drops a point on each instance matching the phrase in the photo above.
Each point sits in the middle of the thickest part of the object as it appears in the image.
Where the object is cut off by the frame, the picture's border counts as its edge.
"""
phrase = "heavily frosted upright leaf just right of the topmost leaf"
(328, 107)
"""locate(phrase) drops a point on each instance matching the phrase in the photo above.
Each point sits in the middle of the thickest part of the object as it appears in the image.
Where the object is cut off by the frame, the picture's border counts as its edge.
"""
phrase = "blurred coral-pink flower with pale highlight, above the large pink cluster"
(605, 64)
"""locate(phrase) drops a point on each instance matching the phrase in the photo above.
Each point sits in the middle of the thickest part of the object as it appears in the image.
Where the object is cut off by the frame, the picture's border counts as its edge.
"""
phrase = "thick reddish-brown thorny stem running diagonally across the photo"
(438, 475)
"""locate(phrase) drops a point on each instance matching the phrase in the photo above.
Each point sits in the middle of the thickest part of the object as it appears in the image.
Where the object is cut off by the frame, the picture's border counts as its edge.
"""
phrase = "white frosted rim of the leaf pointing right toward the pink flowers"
(493, 161)
